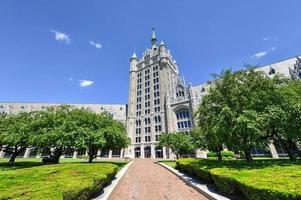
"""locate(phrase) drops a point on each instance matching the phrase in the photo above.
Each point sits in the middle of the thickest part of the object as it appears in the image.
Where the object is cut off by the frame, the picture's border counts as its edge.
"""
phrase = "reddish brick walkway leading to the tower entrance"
(147, 180)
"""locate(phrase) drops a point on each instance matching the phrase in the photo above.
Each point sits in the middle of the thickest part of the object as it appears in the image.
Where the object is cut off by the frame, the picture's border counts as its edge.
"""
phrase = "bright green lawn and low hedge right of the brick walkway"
(262, 179)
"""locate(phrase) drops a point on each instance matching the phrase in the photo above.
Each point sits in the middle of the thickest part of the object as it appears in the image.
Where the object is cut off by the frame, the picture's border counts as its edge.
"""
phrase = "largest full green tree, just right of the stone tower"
(231, 113)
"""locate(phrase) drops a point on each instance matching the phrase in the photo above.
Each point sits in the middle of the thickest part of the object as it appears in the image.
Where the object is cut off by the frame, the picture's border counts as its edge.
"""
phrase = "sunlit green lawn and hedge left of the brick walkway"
(70, 179)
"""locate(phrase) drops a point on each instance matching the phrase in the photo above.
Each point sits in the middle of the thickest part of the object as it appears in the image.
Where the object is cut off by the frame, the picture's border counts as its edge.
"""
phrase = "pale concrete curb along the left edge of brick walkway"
(109, 189)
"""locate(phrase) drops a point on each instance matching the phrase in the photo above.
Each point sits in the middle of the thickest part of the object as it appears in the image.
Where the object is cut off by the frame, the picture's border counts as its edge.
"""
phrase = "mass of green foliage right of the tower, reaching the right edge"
(245, 108)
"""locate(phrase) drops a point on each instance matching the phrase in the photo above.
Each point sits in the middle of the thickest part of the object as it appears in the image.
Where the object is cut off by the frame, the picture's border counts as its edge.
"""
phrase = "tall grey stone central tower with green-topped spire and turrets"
(154, 95)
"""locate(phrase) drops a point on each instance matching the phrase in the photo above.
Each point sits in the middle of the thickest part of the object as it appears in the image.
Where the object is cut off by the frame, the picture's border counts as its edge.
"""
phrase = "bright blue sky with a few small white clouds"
(78, 51)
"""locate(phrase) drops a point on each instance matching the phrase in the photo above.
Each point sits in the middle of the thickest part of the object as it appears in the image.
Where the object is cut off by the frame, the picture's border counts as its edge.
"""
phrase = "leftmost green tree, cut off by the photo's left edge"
(17, 132)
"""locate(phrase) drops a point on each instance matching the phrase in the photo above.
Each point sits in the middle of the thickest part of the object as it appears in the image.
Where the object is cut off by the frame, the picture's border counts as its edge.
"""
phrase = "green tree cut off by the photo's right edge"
(283, 118)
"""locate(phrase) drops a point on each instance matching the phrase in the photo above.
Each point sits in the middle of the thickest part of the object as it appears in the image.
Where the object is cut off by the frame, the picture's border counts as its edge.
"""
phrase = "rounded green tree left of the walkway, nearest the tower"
(98, 131)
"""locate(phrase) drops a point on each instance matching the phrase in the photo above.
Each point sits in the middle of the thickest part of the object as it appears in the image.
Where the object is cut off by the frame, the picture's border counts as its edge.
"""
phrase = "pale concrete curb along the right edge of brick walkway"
(202, 188)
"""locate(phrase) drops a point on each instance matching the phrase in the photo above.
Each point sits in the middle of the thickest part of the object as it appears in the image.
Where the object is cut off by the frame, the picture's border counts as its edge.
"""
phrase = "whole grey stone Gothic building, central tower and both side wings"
(159, 101)
